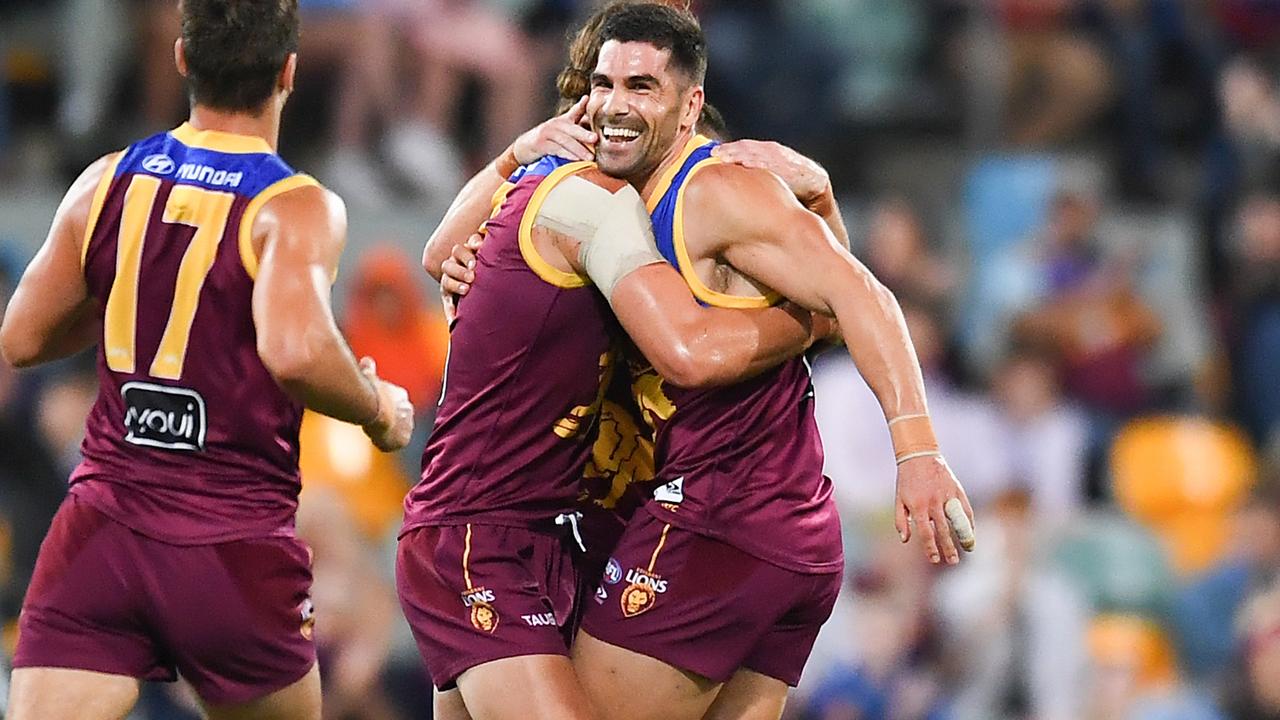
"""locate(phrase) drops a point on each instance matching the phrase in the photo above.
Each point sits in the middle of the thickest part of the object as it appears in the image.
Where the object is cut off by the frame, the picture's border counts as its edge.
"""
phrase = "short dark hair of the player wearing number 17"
(235, 49)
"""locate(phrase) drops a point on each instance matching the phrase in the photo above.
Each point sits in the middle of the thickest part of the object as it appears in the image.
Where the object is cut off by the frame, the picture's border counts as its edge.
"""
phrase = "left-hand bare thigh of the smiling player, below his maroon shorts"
(624, 685)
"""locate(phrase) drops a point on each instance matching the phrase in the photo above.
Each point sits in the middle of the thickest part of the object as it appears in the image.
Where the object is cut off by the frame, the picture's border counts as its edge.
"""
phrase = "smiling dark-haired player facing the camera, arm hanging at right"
(721, 584)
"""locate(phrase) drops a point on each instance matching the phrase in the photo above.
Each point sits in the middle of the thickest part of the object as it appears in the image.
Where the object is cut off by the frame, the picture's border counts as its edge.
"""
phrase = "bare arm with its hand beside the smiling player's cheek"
(561, 136)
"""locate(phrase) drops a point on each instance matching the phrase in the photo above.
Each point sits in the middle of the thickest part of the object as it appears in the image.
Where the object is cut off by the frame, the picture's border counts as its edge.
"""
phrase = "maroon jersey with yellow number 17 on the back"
(191, 440)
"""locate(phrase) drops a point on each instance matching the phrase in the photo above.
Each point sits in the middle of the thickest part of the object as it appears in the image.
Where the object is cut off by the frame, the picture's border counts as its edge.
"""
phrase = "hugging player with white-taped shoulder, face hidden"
(487, 569)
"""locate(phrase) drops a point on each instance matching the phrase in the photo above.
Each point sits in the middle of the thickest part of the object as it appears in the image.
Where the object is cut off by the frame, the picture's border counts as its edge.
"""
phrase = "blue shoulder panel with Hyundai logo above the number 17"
(164, 157)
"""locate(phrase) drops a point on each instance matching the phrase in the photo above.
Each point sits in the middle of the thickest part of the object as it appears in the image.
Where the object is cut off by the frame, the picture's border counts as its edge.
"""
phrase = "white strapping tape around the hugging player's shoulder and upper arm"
(612, 229)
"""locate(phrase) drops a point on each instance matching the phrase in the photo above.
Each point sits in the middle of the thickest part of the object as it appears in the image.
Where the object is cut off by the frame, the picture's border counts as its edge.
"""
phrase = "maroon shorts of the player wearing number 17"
(235, 619)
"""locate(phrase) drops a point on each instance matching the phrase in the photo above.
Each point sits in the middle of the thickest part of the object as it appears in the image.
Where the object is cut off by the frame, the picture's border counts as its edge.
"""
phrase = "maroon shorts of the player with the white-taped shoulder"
(476, 594)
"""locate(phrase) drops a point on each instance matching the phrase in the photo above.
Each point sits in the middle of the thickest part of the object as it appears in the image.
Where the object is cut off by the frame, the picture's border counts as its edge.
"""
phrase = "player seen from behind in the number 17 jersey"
(200, 263)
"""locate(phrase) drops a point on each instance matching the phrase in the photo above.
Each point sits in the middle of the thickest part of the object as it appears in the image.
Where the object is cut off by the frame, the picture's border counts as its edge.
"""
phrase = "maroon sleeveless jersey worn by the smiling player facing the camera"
(740, 463)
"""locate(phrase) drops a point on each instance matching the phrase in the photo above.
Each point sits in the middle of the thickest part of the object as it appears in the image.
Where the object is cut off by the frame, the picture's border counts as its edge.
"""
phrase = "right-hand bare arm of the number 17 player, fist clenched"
(299, 238)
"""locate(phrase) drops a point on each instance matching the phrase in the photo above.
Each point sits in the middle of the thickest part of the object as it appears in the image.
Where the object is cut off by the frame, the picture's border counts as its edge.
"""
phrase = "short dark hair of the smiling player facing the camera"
(666, 29)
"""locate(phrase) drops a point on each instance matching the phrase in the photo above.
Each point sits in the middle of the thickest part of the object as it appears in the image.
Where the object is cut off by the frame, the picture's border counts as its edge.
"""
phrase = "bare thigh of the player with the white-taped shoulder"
(531, 687)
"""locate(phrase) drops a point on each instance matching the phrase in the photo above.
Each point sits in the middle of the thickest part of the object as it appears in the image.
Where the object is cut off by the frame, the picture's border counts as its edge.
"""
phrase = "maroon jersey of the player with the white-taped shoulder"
(529, 358)
